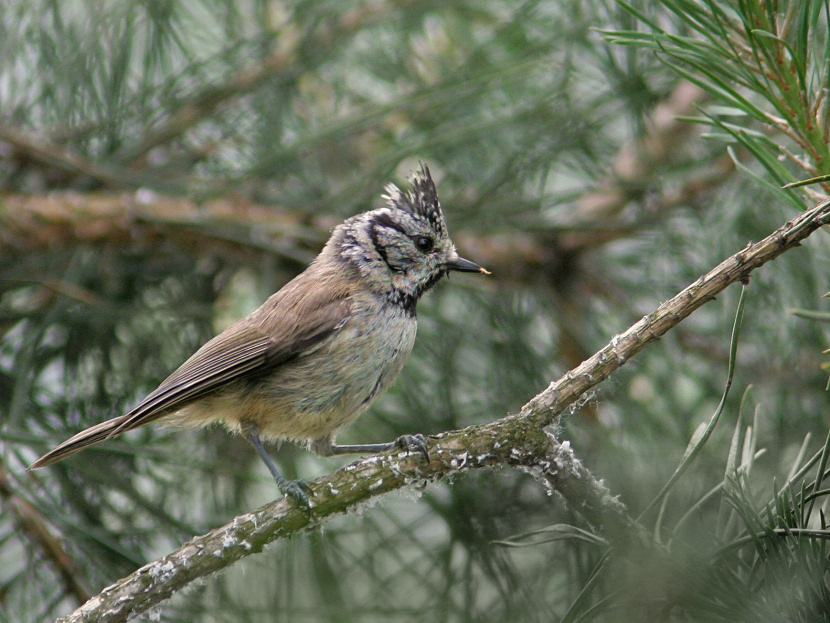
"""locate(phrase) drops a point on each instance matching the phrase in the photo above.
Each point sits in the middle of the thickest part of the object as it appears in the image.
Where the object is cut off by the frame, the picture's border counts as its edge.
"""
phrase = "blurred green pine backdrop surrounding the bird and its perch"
(165, 166)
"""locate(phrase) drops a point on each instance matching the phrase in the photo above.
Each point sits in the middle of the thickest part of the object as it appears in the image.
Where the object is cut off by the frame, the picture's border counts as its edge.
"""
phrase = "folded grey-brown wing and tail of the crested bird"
(245, 348)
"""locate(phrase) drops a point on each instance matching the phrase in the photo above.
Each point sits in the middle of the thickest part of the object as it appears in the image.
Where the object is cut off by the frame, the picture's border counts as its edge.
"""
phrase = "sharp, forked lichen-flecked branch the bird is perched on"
(517, 441)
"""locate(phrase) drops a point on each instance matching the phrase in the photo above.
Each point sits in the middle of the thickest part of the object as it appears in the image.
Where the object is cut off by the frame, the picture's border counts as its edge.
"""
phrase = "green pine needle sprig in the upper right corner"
(758, 60)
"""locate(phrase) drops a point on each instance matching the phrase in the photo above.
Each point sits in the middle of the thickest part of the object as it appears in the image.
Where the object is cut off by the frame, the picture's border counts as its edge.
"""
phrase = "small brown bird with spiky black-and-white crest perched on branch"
(318, 352)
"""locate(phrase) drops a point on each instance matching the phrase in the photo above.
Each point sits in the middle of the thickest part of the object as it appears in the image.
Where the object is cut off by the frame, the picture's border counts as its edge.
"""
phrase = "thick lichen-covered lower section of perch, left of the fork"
(496, 444)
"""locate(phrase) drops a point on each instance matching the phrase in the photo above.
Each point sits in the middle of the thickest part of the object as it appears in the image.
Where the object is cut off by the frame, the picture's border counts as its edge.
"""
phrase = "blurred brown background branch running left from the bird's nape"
(30, 224)
